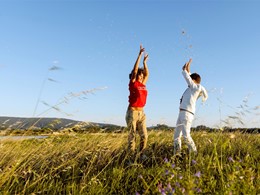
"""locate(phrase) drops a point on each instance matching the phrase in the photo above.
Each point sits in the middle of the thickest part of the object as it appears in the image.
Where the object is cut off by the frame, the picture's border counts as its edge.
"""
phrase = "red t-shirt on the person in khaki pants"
(138, 94)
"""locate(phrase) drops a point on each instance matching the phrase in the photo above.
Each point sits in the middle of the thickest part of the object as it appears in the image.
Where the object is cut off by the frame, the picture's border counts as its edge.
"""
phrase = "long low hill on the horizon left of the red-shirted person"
(52, 123)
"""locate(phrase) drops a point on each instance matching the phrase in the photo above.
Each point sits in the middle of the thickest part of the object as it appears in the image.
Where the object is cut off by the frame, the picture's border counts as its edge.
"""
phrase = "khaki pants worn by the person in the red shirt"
(136, 121)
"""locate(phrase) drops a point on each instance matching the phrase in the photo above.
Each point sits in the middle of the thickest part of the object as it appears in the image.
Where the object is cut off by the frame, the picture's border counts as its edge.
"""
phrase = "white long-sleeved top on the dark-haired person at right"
(192, 93)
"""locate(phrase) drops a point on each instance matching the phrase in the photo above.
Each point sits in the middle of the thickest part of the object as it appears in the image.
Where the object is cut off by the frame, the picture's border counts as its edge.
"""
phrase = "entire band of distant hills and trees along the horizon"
(56, 124)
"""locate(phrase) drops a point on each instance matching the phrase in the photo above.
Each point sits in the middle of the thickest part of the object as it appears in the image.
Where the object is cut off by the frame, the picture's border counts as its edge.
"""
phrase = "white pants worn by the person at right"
(183, 126)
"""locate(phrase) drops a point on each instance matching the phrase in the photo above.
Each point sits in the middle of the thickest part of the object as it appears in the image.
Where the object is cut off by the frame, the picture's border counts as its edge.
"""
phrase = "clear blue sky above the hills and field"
(94, 44)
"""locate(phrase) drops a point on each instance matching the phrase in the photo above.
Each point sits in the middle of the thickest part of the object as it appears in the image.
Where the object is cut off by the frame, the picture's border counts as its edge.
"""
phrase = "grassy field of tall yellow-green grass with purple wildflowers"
(227, 163)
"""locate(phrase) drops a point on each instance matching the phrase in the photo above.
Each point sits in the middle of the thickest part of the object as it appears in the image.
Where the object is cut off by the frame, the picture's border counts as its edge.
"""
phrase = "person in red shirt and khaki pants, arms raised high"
(135, 116)
